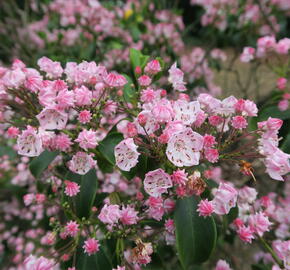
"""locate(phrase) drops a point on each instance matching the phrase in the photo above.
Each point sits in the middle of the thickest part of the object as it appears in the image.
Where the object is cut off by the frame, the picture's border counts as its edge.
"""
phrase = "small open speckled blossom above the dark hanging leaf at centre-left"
(81, 163)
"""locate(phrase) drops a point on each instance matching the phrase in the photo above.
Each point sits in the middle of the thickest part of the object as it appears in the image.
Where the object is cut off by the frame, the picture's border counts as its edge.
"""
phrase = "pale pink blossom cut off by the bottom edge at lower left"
(41, 263)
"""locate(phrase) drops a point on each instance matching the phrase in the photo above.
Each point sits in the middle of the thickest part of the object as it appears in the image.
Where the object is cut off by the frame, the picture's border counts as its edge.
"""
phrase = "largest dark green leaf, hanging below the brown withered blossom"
(195, 235)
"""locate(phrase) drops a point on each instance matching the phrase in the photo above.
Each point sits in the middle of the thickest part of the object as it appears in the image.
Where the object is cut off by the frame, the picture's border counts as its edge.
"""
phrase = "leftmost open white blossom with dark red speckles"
(29, 143)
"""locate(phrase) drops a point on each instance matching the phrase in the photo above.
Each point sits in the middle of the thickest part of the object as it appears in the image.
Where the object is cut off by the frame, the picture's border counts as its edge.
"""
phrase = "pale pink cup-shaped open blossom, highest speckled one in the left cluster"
(52, 119)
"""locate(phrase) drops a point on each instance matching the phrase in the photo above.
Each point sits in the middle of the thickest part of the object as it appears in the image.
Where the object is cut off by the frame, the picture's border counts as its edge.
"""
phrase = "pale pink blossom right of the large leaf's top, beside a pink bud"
(224, 199)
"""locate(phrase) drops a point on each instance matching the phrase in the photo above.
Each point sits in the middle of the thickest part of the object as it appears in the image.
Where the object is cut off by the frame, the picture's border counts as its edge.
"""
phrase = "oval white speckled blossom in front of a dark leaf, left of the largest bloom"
(126, 154)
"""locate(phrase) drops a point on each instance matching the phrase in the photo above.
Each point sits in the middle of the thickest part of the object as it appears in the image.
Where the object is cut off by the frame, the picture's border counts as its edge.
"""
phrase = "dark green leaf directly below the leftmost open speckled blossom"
(40, 163)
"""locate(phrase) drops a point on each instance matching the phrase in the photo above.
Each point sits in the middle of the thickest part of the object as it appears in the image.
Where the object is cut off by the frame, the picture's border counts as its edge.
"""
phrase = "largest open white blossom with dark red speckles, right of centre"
(183, 148)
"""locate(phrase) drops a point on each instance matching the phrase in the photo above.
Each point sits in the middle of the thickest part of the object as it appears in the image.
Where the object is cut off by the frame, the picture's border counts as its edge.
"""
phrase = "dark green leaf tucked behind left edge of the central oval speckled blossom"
(106, 146)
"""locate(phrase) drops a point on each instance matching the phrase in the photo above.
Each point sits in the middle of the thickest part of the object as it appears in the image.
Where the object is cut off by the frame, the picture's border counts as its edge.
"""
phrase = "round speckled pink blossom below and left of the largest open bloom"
(157, 182)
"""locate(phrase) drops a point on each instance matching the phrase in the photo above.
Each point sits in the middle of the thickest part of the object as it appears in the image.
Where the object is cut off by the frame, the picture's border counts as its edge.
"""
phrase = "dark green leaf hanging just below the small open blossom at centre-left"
(86, 197)
